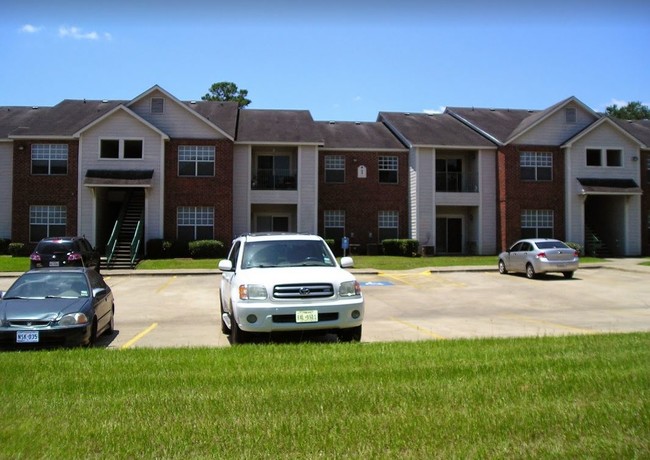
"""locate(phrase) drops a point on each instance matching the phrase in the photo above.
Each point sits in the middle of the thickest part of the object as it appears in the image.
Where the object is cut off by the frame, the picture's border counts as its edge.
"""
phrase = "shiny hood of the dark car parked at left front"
(40, 309)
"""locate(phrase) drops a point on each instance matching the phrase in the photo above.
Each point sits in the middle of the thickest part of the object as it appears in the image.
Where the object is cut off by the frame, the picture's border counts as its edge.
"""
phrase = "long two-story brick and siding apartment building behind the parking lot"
(467, 181)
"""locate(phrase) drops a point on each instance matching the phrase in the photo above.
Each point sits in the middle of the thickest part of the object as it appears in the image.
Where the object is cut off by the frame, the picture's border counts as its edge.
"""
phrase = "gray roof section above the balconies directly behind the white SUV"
(281, 126)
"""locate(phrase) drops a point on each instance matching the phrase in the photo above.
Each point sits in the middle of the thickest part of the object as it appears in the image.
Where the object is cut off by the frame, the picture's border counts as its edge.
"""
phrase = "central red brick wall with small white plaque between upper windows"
(362, 199)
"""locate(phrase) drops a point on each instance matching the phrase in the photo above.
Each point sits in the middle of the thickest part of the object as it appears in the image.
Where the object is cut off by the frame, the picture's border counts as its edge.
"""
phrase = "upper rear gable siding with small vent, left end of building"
(176, 120)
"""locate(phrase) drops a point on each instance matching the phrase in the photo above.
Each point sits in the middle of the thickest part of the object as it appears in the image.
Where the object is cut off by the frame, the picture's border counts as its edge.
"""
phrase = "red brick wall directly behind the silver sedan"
(515, 195)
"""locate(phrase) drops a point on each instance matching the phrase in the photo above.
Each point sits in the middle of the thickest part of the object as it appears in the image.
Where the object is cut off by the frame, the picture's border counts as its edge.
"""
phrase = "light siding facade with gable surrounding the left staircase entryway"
(122, 126)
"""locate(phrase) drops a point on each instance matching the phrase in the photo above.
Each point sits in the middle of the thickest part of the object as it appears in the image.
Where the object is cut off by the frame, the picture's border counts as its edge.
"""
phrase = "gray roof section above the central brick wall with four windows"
(352, 135)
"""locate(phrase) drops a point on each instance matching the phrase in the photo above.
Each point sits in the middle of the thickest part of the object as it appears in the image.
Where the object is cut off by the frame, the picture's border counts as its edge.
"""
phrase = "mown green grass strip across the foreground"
(566, 397)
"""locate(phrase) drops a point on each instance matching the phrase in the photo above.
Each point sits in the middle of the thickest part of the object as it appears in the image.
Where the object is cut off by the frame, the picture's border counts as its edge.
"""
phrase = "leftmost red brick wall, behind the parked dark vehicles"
(31, 189)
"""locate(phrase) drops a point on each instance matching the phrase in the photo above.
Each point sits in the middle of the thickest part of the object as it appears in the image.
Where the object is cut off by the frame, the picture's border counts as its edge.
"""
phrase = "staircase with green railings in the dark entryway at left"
(125, 246)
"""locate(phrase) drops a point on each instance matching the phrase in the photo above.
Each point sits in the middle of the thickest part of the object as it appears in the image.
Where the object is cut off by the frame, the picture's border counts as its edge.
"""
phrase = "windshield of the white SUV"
(286, 253)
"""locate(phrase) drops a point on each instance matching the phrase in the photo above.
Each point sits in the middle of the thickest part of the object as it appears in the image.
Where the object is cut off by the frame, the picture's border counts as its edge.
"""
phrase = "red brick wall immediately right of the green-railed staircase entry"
(200, 191)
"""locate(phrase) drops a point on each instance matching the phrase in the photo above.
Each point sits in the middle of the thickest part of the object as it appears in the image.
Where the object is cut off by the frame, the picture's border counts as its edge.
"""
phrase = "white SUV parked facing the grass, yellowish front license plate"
(278, 282)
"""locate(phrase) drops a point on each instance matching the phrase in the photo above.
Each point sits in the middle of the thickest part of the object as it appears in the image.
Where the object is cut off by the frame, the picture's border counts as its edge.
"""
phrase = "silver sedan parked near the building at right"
(539, 255)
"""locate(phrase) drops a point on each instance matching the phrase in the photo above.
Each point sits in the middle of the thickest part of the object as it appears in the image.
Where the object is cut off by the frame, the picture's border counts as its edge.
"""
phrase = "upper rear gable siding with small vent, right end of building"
(555, 130)
